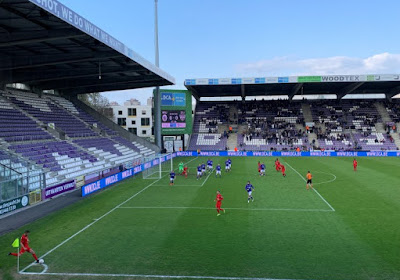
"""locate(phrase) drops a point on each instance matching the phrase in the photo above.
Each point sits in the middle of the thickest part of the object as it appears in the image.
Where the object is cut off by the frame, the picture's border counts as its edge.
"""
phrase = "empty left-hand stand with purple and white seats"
(81, 146)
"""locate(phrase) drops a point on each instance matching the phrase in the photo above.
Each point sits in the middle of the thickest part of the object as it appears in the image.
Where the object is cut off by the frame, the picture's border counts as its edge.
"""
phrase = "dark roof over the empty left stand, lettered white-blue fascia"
(46, 45)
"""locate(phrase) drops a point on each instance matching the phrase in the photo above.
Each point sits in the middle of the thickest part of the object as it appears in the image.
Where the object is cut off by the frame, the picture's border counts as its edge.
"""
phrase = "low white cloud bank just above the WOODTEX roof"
(384, 63)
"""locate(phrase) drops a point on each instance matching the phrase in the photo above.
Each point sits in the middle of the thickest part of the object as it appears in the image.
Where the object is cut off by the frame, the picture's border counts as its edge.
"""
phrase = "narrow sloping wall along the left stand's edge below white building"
(124, 133)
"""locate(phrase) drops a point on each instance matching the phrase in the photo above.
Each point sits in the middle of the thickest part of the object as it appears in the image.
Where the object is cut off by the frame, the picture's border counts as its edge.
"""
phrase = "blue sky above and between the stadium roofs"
(221, 38)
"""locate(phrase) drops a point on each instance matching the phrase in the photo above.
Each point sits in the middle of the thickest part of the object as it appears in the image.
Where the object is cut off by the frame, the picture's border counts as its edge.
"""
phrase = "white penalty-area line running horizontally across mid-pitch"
(211, 208)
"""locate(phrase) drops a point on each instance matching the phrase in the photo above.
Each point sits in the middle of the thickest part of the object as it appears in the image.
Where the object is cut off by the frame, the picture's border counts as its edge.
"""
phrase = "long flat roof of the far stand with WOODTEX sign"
(340, 85)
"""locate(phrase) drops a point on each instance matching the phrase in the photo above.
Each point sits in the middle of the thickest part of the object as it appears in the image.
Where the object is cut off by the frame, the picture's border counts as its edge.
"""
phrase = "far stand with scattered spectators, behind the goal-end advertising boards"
(282, 125)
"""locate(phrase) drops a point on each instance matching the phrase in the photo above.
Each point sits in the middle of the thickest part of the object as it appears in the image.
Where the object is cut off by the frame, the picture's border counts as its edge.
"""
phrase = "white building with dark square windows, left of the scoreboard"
(135, 117)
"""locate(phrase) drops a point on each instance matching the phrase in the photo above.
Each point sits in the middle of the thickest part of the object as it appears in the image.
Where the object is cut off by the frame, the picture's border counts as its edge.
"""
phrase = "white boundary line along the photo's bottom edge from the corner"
(151, 276)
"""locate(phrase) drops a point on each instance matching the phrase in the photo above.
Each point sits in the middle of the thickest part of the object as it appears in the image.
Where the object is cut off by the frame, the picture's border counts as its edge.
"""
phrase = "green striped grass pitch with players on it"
(349, 229)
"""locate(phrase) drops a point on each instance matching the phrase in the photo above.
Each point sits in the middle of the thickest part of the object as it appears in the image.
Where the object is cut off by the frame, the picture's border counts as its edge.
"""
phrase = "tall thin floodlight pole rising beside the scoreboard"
(156, 99)
